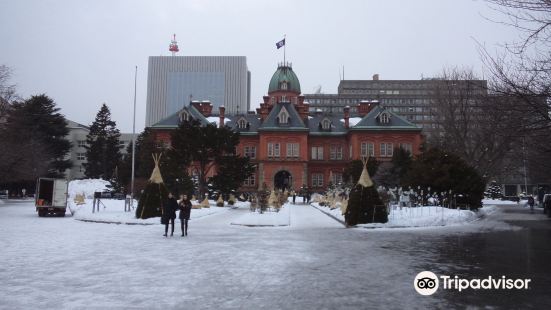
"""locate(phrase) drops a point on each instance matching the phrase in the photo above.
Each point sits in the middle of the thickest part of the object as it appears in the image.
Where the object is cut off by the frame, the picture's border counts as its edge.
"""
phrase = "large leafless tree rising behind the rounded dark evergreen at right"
(468, 124)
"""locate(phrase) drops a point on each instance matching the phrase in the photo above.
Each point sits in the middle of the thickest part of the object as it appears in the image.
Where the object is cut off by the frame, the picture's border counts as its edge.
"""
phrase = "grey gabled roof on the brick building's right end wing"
(396, 122)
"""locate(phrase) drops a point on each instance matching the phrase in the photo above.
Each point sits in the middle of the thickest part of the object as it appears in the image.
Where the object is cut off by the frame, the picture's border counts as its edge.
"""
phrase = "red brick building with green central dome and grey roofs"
(292, 147)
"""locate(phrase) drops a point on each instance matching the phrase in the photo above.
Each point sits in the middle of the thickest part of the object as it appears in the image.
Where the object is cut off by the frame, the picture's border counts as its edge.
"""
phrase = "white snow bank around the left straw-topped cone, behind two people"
(112, 211)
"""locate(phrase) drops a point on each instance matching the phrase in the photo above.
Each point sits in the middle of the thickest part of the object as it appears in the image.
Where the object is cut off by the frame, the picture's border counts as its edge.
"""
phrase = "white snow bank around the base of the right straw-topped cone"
(417, 217)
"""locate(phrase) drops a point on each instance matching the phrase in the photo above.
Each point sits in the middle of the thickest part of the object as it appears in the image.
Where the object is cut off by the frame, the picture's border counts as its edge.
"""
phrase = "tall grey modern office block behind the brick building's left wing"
(174, 81)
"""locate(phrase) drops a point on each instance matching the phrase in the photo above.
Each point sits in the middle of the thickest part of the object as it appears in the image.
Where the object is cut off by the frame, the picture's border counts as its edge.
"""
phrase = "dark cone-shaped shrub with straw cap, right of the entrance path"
(364, 204)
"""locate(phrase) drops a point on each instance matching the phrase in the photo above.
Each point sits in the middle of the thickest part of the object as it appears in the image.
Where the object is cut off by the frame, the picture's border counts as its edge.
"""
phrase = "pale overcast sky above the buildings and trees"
(83, 53)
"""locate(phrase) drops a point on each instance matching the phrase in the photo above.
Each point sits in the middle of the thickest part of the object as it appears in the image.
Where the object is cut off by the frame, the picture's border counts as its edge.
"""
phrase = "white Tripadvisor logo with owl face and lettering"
(427, 283)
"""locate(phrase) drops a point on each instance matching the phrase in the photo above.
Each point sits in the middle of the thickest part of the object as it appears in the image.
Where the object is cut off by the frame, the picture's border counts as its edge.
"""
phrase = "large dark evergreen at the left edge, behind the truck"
(34, 140)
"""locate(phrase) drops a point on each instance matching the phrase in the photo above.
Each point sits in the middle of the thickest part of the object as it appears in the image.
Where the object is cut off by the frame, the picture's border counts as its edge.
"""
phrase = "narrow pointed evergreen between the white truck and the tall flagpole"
(103, 149)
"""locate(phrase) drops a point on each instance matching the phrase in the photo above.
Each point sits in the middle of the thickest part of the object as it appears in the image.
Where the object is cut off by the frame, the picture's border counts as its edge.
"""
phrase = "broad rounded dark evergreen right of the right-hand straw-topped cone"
(442, 171)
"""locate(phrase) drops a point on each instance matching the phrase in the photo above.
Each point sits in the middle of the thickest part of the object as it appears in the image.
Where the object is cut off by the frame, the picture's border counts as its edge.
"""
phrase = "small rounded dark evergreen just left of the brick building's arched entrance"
(232, 172)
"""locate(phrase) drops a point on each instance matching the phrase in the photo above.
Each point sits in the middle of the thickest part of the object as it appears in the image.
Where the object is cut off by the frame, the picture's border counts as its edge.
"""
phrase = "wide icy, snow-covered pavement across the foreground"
(315, 263)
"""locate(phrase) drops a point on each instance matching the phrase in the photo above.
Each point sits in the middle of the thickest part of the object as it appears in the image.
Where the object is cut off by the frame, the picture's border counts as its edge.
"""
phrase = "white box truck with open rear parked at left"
(51, 196)
